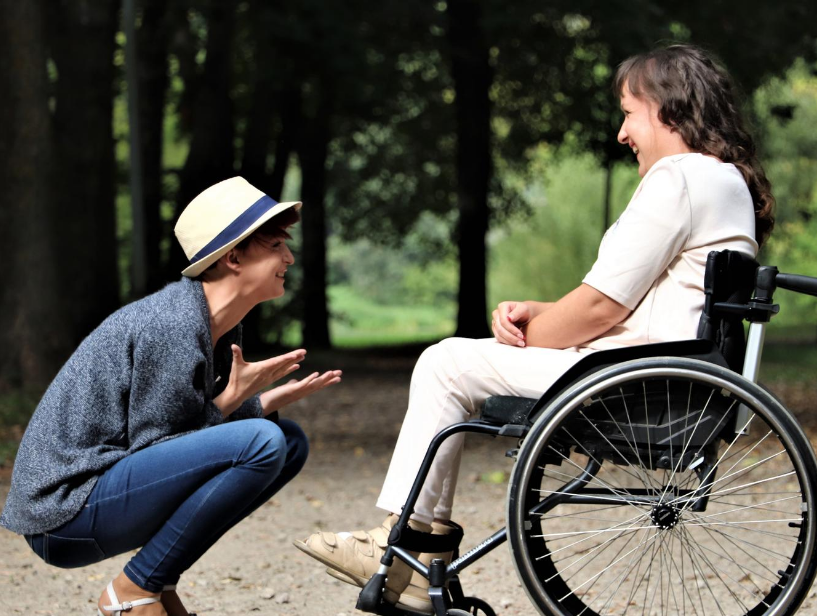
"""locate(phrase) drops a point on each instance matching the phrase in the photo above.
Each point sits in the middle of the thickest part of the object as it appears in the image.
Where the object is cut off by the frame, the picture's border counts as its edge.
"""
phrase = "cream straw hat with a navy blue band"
(220, 217)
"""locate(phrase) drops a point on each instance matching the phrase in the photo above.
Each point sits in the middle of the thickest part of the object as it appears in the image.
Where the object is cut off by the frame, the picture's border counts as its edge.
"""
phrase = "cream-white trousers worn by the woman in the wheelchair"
(450, 382)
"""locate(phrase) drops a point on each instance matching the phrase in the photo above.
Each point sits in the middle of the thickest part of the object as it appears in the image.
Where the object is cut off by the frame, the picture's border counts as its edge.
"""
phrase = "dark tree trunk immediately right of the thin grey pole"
(152, 49)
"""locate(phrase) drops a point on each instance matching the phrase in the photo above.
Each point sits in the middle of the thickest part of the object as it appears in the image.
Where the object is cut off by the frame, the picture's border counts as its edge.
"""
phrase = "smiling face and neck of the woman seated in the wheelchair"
(649, 138)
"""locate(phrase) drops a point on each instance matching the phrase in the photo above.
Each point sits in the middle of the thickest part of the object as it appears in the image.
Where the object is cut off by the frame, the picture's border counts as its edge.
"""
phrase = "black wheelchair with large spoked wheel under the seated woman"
(658, 479)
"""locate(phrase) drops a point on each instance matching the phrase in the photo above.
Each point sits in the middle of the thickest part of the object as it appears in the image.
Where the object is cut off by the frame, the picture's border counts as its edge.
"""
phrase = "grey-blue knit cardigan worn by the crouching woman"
(147, 374)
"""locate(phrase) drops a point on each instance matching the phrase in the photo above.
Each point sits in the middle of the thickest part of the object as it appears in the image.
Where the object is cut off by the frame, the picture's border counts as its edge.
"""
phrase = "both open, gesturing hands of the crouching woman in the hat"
(248, 378)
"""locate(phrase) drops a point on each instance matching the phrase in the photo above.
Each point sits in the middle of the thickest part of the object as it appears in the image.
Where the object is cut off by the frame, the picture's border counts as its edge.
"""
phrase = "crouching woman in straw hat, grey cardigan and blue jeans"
(153, 434)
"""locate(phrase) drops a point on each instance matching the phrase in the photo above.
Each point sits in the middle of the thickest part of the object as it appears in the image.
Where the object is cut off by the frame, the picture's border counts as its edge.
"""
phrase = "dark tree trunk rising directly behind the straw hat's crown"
(212, 155)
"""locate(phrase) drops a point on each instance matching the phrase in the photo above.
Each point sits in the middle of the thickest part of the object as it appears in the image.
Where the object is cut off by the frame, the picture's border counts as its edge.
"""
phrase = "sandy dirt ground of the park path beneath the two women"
(255, 568)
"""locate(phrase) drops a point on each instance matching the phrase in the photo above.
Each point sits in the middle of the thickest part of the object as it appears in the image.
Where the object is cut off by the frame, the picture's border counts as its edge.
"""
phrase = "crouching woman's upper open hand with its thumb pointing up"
(248, 378)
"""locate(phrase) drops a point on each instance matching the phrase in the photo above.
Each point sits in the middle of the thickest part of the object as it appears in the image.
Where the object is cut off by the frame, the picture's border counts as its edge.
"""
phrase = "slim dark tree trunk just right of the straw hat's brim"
(313, 146)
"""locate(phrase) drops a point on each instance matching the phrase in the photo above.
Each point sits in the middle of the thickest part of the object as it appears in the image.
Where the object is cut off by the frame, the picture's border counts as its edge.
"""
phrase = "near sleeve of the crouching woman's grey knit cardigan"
(169, 384)
